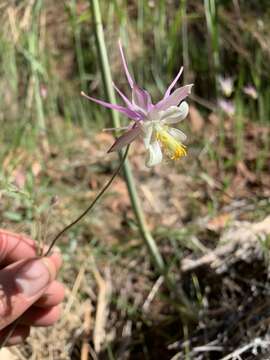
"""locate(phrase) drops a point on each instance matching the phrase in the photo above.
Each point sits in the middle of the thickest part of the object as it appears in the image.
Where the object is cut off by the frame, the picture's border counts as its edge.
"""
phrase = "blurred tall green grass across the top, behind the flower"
(211, 39)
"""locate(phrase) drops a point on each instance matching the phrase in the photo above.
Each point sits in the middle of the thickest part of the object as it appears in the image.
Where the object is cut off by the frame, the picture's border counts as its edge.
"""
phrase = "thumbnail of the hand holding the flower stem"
(32, 277)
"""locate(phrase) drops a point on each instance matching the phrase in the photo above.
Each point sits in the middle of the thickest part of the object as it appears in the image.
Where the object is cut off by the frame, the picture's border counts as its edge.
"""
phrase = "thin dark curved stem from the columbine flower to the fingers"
(90, 207)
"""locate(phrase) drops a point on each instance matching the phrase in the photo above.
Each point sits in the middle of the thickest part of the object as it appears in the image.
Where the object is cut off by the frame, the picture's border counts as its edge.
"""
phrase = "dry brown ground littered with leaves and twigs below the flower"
(210, 223)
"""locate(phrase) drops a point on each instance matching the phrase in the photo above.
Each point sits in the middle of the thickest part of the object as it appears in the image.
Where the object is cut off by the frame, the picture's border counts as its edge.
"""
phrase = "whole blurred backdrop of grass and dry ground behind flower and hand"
(208, 212)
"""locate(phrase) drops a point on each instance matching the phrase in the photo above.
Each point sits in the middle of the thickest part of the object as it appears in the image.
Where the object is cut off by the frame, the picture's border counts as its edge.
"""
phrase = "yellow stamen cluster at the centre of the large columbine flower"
(174, 148)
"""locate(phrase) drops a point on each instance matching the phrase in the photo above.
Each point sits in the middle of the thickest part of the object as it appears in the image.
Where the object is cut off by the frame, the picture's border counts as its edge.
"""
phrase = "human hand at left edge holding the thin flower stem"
(27, 287)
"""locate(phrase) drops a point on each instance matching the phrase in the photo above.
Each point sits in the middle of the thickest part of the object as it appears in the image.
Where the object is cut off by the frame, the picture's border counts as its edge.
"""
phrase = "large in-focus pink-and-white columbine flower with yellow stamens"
(152, 122)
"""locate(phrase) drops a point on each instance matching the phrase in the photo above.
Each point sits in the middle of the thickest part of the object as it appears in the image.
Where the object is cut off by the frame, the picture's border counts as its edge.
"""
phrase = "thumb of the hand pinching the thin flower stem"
(22, 284)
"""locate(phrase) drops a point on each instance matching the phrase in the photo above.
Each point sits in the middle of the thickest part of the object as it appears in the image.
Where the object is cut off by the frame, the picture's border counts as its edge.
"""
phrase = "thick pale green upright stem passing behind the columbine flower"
(107, 80)
